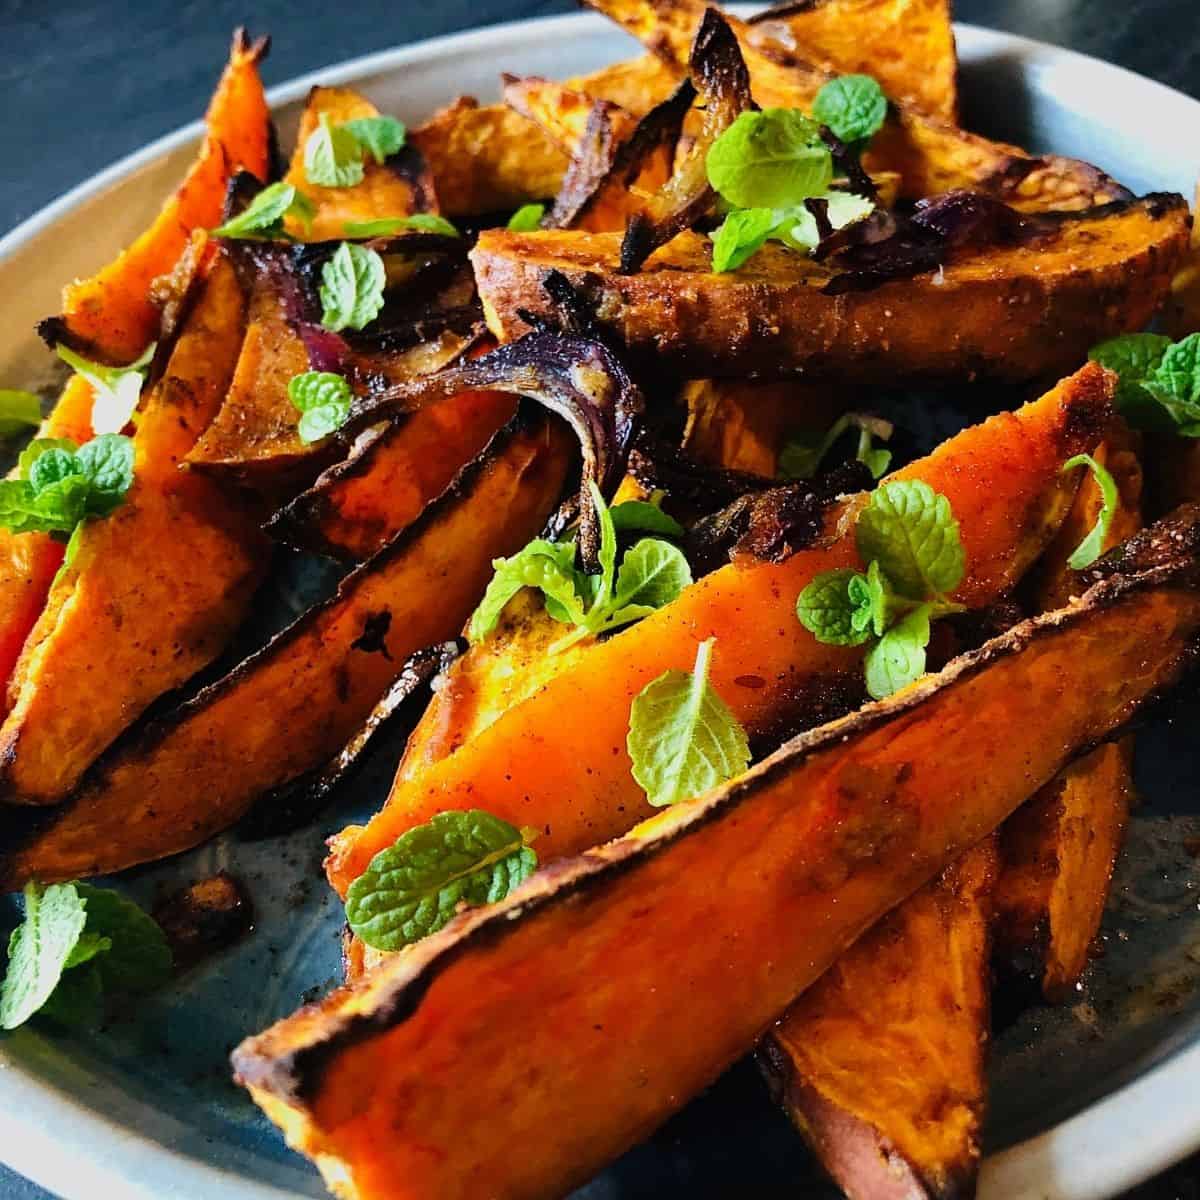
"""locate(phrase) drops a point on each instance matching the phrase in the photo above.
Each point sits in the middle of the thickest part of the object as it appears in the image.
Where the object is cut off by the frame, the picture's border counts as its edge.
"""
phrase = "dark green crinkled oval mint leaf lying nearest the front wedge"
(419, 884)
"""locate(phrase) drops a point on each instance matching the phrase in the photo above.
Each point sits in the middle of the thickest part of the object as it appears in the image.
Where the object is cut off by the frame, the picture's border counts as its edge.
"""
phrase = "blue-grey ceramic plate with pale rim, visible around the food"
(1088, 1100)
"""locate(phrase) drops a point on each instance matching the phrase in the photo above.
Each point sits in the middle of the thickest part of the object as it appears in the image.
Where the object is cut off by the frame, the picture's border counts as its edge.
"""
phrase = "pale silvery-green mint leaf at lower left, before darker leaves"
(39, 951)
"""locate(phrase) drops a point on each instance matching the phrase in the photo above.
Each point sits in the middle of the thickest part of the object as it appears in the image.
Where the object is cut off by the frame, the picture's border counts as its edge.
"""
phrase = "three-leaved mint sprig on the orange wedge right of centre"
(910, 541)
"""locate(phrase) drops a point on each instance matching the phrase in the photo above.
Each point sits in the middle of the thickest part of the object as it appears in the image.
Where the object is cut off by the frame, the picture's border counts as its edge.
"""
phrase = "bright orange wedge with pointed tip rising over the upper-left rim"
(111, 316)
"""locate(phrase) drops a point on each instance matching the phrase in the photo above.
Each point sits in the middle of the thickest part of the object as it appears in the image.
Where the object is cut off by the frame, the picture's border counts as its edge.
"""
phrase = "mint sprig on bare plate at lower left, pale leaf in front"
(76, 945)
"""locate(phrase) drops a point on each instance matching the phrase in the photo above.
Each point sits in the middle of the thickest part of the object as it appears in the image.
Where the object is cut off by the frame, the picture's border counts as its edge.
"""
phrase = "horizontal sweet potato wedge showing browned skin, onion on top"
(1012, 313)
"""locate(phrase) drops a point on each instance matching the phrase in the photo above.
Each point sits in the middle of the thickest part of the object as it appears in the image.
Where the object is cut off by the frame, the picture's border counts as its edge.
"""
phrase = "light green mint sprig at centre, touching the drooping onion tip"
(652, 574)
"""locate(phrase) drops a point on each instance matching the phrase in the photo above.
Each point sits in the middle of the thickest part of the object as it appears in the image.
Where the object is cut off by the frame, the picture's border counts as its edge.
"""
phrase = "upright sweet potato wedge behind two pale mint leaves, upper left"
(398, 188)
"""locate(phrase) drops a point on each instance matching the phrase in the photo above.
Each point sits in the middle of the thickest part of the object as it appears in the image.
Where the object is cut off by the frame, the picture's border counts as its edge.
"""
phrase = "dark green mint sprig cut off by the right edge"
(1160, 389)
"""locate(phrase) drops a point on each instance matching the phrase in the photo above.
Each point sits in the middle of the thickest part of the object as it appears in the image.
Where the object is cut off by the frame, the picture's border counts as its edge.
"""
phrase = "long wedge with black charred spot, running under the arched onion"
(172, 788)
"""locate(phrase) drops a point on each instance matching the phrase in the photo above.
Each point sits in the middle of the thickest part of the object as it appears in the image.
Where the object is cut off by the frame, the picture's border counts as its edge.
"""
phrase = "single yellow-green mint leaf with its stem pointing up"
(683, 740)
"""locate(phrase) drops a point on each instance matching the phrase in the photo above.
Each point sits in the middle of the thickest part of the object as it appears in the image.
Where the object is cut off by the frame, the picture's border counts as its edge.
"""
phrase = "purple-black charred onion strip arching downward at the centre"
(574, 377)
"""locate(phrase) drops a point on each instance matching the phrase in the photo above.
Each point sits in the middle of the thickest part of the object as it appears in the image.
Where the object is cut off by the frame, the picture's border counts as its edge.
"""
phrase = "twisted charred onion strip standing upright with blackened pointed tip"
(722, 81)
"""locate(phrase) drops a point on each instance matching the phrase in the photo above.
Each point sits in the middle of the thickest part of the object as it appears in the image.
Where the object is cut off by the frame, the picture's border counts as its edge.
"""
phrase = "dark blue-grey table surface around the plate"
(85, 85)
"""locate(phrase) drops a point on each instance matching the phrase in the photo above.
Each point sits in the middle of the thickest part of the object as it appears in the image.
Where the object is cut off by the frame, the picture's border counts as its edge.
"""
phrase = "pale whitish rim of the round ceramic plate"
(50, 1137)
